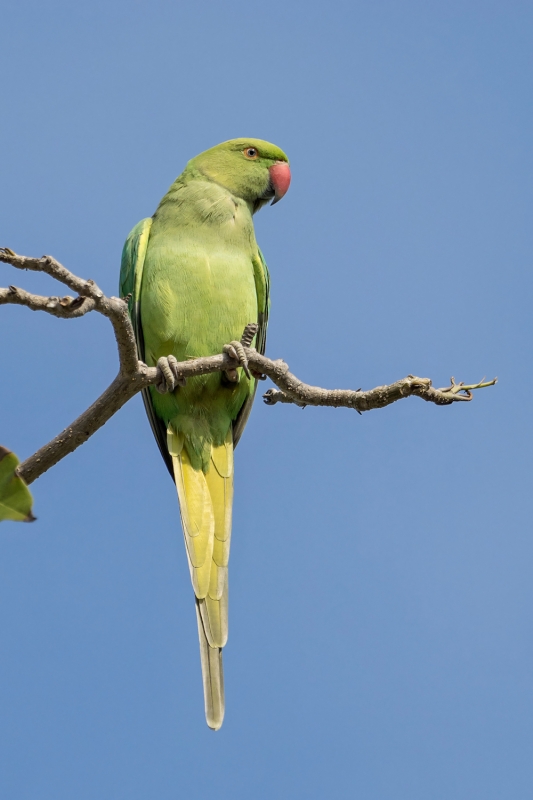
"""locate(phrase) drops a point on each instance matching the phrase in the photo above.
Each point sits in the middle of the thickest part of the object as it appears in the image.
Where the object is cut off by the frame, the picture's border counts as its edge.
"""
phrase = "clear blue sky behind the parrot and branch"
(381, 611)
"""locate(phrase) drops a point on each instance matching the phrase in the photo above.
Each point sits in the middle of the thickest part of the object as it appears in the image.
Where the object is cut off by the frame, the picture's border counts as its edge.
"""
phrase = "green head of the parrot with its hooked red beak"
(251, 169)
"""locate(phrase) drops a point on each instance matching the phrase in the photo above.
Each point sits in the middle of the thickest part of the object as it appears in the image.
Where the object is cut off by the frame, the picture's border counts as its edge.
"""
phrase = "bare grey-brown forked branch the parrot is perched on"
(133, 375)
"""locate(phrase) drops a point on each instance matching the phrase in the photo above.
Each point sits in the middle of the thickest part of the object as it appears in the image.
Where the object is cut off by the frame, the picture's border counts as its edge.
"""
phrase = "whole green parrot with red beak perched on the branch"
(195, 278)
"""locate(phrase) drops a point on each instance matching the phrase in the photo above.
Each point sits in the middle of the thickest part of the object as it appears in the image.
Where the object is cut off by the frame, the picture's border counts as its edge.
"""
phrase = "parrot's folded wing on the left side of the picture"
(131, 271)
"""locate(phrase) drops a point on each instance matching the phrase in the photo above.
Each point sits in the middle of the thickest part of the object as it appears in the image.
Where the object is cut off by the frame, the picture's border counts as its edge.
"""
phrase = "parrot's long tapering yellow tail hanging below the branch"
(206, 501)
